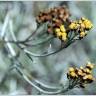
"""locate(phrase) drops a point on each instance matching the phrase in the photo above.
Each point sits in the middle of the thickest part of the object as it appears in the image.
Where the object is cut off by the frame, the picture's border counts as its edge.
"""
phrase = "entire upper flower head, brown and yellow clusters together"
(59, 23)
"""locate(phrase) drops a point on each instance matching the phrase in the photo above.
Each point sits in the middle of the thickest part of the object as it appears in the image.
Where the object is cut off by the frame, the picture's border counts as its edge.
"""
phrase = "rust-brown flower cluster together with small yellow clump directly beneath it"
(56, 17)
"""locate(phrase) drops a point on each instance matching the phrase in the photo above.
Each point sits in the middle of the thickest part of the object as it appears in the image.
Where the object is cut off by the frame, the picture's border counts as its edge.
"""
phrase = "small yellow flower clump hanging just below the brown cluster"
(61, 33)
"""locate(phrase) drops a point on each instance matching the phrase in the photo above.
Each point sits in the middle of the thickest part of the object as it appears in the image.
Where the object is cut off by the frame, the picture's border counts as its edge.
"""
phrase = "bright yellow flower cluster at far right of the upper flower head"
(82, 25)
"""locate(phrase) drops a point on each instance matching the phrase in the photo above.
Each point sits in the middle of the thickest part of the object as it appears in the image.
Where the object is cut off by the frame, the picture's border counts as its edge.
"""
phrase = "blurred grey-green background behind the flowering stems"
(52, 69)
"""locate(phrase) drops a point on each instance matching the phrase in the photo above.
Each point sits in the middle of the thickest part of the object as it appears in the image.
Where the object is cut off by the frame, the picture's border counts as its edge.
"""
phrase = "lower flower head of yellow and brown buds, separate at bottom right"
(81, 75)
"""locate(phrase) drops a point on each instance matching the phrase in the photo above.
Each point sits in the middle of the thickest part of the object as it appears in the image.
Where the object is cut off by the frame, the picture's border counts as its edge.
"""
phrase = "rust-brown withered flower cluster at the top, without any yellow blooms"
(59, 13)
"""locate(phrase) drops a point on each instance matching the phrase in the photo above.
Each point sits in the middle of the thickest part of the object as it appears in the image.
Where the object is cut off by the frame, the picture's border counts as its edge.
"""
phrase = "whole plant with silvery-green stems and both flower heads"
(60, 26)
